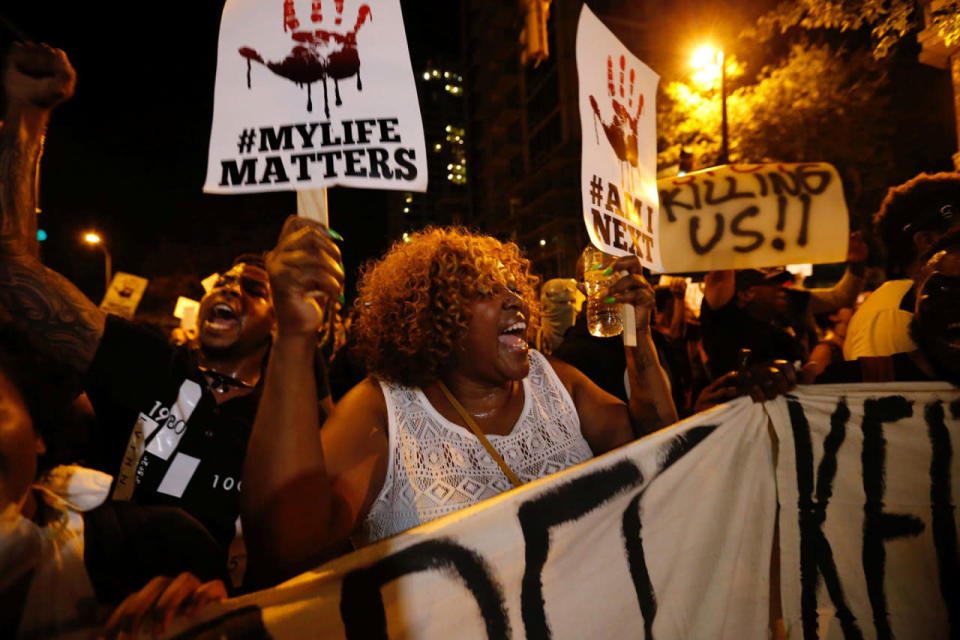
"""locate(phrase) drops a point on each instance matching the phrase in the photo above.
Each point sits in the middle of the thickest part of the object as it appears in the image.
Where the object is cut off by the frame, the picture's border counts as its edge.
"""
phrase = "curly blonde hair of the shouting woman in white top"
(414, 304)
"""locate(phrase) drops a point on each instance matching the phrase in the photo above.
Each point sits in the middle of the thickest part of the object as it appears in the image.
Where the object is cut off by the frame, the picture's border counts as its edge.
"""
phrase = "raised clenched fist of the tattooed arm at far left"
(38, 76)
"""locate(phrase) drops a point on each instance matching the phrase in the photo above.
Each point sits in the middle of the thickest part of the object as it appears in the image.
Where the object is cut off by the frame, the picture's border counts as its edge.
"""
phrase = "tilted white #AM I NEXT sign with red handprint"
(619, 160)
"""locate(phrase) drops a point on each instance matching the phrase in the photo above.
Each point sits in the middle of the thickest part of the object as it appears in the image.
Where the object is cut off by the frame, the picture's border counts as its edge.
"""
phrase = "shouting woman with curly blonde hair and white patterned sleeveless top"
(443, 322)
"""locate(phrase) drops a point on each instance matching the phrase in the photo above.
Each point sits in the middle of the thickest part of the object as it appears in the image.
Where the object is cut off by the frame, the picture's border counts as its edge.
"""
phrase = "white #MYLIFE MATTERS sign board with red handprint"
(314, 94)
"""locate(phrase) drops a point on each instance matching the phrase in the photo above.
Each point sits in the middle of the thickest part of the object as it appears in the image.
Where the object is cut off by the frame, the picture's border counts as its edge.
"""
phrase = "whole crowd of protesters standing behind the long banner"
(286, 429)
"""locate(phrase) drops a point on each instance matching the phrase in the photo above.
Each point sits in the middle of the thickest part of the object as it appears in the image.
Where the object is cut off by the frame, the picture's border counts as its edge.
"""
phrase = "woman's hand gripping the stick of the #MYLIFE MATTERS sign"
(305, 275)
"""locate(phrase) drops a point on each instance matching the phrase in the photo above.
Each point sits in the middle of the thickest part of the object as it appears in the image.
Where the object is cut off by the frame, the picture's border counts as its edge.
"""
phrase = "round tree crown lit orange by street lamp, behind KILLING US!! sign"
(817, 105)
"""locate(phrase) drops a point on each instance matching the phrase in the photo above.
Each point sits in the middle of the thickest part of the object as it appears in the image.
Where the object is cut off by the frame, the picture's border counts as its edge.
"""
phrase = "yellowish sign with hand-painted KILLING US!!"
(759, 215)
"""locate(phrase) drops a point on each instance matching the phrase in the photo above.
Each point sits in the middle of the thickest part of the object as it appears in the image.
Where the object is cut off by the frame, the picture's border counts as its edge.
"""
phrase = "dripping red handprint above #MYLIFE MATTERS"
(320, 54)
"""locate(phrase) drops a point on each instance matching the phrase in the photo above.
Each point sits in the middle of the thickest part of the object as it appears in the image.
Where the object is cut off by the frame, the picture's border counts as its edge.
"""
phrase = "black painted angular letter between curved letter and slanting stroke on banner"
(566, 503)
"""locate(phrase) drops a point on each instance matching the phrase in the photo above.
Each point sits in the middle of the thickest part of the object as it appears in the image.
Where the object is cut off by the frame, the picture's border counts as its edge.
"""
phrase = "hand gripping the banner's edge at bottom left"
(151, 609)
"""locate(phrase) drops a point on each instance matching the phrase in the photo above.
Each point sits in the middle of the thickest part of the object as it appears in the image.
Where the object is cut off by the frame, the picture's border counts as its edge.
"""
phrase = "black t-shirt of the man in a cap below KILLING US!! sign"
(728, 329)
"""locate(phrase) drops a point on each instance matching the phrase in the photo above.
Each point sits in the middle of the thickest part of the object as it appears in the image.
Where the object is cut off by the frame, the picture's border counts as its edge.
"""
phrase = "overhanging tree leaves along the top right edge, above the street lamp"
(887, 20)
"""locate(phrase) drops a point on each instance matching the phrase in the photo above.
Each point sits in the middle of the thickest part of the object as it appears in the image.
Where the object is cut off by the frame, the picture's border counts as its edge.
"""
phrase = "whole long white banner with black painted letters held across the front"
(672, 537)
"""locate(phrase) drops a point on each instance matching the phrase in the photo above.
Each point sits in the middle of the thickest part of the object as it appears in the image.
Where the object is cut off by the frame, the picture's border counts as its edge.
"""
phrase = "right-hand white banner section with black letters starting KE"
(869, 484)
